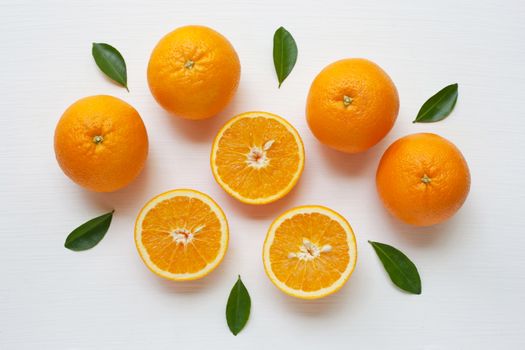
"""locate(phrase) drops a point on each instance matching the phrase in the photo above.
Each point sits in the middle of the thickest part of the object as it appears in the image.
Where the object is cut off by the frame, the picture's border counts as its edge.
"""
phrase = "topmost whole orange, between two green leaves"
(202, 90)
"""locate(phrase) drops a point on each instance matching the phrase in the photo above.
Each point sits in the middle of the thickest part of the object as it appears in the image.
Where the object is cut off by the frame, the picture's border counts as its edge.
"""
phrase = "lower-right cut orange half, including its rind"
(309, 252)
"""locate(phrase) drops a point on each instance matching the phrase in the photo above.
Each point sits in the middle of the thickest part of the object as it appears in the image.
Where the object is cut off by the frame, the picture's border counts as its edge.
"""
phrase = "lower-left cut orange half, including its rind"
(181, 234)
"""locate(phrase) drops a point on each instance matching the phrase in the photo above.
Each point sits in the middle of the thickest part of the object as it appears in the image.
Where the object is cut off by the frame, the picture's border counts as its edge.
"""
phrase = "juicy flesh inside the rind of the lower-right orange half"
(320, 272)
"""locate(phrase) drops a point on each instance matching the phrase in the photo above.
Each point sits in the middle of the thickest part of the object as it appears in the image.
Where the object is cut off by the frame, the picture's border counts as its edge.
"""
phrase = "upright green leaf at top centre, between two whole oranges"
(284, 53)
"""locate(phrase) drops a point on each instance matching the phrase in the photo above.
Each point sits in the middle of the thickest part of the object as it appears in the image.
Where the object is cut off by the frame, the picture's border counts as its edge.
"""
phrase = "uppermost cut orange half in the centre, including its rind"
(257, 157)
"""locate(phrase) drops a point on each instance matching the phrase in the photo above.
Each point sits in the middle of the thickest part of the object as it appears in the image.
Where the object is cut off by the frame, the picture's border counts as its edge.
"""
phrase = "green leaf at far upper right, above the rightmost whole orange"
(439, 106)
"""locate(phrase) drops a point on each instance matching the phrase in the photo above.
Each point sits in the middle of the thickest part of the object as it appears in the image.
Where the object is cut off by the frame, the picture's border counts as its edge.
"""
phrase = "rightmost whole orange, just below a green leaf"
(423, 179)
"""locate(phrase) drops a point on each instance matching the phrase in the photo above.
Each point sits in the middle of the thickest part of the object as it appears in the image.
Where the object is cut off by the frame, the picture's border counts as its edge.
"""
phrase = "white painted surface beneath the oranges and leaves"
(472, 267)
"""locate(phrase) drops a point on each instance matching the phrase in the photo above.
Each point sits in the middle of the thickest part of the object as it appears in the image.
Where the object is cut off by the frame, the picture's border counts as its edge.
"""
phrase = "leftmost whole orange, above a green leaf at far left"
(112, 163)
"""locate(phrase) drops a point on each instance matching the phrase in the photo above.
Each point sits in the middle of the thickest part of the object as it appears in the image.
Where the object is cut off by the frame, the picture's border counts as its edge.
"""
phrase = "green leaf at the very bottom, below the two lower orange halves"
(238, 307)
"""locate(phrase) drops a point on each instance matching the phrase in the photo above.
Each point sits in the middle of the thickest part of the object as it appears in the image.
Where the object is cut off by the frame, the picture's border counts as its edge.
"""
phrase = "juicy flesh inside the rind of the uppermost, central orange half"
(235, 146)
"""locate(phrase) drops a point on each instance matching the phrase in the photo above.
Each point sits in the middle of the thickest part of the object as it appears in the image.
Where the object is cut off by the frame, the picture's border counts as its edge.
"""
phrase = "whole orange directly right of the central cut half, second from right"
(369, 116)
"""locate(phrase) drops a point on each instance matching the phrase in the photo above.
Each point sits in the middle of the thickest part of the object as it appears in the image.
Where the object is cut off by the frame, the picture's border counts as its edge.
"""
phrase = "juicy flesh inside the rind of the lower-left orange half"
(175, 214)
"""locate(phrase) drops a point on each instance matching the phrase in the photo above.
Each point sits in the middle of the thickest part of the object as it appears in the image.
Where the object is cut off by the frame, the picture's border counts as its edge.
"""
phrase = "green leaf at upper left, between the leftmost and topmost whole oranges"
(111, 63)
